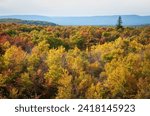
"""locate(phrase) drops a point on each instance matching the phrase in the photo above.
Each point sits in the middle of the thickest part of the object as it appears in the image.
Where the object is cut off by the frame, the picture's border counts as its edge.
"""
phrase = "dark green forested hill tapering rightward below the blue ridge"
(20, 21)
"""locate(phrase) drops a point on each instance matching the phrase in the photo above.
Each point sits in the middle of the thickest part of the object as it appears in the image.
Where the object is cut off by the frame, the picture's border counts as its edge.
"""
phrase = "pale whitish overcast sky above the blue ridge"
(74, 7)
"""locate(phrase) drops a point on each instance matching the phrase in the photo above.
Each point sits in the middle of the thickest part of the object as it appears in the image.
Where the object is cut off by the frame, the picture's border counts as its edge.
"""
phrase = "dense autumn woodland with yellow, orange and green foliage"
(74, 62)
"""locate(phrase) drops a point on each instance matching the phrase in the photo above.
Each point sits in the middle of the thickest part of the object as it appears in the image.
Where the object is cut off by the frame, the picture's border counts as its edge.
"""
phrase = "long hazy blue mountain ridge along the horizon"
(128, 20)
